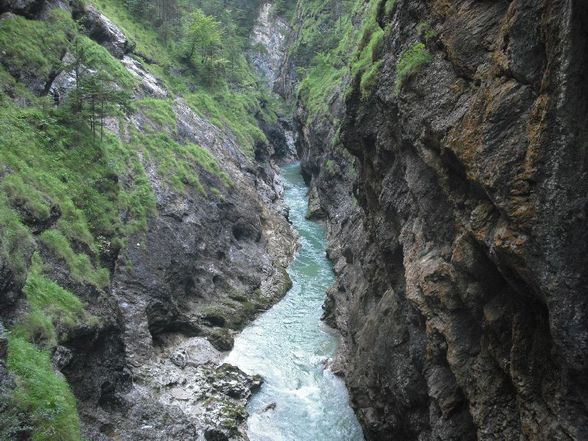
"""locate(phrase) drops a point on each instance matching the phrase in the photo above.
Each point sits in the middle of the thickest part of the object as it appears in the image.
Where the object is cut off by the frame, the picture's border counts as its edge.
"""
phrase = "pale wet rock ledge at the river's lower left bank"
(198, 397)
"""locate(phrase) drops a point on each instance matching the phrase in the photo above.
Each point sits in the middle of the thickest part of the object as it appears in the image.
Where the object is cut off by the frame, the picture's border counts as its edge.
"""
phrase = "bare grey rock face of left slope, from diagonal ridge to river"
(212, 257)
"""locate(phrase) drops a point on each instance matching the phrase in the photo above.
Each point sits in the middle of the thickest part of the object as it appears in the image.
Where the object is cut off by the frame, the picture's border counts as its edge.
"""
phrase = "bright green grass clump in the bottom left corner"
(42, 395)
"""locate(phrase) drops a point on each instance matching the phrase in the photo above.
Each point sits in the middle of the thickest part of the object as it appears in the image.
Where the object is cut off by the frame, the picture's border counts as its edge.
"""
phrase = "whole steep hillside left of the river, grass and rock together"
(141, 220)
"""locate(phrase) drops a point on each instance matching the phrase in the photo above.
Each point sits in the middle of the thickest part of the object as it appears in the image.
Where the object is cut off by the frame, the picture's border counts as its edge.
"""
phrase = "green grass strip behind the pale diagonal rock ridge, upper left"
(230, 101)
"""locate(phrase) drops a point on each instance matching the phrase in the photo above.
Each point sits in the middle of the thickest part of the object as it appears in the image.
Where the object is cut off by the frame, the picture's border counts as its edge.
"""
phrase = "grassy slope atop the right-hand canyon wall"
(347, 49)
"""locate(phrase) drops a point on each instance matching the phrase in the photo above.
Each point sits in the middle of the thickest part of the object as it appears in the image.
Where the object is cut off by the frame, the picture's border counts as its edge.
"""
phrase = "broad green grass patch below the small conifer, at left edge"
(91, 183)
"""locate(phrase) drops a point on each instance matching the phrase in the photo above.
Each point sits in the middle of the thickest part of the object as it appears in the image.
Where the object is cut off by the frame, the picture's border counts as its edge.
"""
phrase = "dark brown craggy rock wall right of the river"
(461, 286)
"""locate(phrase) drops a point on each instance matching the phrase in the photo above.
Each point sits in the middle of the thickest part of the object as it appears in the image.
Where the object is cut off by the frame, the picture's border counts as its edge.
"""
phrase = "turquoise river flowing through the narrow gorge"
(288, 346)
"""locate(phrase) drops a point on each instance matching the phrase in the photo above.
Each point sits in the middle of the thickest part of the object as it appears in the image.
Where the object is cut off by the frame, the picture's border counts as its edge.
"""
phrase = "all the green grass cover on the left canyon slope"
(100, 188)
